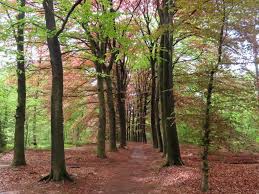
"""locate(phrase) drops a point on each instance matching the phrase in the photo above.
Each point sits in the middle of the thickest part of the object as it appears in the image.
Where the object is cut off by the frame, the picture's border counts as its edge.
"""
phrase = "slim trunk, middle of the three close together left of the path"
(111, 109)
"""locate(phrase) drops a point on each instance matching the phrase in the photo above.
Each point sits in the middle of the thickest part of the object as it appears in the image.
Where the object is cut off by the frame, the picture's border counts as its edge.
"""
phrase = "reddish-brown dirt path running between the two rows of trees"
(129, 175)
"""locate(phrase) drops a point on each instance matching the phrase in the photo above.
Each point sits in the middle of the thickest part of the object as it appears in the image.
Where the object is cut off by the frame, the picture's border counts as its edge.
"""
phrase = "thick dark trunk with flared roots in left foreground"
(58, 166)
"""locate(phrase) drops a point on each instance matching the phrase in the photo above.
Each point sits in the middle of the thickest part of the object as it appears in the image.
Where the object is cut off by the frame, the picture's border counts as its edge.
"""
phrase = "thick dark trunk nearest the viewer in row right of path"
(167, 101)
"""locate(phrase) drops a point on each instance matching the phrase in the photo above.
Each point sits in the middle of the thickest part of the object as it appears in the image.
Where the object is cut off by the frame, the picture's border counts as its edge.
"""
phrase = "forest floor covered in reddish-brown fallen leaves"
(136, 169)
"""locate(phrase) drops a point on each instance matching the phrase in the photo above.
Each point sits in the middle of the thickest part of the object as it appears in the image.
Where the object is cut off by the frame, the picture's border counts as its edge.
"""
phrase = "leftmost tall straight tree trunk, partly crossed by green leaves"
(19, 155)
